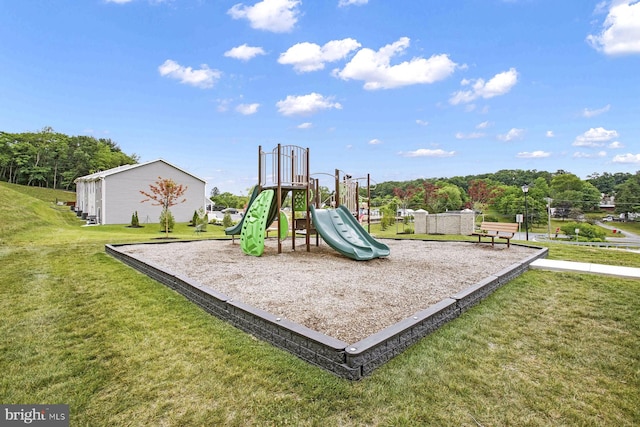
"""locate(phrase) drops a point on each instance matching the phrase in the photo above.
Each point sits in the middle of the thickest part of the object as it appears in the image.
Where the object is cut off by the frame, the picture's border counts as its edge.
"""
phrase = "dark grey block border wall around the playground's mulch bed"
(350, 361)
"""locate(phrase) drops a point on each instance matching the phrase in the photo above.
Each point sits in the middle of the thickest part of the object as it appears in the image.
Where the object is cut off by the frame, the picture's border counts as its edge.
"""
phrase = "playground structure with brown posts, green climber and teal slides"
(285, 170)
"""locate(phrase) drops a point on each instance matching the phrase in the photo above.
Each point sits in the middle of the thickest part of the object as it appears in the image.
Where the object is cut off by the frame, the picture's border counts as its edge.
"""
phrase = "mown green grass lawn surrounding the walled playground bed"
(80, 328)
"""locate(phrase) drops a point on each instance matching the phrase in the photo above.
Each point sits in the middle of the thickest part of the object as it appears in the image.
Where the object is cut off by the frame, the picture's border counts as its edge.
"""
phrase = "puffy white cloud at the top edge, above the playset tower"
(278, 16)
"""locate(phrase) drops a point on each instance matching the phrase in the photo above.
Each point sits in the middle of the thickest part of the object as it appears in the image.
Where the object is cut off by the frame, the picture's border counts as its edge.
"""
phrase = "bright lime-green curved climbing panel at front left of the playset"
(254, 224)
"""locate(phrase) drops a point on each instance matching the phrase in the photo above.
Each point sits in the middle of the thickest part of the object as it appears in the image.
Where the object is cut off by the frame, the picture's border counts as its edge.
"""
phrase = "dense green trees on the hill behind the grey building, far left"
(54, 160)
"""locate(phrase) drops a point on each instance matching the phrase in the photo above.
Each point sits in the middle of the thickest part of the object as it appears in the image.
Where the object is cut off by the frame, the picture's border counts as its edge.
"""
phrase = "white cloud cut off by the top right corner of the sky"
(621, 29)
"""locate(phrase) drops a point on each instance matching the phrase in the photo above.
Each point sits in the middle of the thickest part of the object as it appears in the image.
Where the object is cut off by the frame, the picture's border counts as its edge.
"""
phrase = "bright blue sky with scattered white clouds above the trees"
(399, 89)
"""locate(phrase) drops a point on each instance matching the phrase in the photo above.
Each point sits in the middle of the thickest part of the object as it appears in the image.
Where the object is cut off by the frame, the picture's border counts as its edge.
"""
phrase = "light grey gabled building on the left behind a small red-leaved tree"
(112, 196)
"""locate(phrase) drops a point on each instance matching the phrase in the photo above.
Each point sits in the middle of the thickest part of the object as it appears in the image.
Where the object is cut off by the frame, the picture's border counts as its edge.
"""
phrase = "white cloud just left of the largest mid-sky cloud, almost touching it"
(307, 57)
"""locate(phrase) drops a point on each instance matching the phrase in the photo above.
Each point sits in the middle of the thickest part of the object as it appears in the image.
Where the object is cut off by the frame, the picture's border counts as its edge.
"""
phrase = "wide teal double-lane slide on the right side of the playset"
(344, 234)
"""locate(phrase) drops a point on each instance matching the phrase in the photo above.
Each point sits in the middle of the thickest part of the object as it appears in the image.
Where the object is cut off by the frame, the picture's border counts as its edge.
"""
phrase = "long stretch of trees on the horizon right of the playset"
(502, 193)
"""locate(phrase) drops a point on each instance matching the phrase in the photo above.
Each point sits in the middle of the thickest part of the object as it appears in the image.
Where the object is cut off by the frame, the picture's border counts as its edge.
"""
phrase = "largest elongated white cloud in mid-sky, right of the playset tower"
(375, 69)
